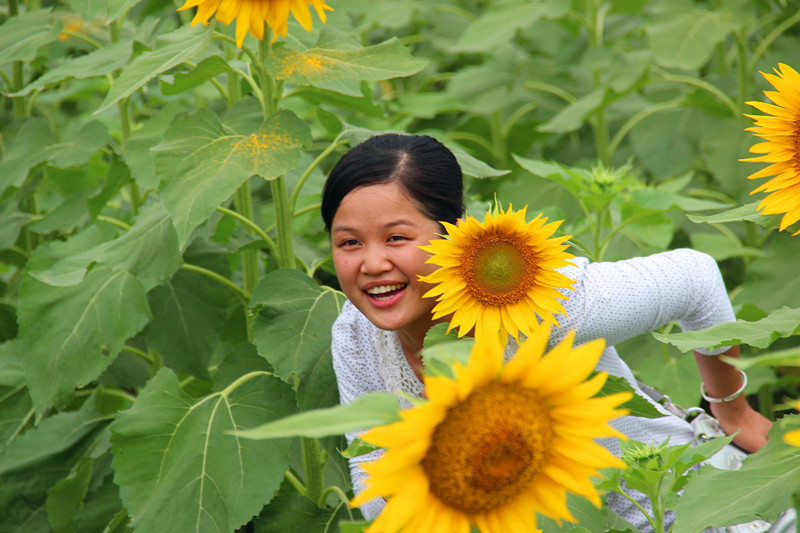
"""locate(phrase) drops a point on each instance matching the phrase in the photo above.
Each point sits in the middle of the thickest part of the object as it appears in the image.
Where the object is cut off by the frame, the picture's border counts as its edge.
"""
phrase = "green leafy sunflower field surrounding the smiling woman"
(166, 283)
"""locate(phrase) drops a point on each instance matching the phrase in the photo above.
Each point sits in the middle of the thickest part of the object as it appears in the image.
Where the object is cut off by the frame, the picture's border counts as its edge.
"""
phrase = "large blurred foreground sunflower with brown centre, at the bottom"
(497, 444)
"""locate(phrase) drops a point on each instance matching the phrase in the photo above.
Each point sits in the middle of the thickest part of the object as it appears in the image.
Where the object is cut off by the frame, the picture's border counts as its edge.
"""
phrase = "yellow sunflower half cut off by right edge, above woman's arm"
(781, 130)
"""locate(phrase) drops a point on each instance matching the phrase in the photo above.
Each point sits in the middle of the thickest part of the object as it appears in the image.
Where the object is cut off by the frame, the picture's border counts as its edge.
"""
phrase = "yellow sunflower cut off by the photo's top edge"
(252, 14)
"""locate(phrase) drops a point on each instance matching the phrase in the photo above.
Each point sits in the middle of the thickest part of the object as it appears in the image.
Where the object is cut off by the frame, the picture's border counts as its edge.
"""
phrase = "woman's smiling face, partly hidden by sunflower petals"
(375, 237)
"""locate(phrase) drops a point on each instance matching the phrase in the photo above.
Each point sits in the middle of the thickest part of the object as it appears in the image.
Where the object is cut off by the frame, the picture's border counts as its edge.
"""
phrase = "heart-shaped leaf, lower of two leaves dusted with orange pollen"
(201, 164)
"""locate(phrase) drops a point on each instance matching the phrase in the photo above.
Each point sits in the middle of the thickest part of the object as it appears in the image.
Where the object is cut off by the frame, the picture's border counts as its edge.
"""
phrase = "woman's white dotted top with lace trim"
(615, 301)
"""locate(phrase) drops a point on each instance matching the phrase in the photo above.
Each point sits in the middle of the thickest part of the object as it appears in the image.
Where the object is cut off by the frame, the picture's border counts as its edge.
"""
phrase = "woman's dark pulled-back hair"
(422, 166)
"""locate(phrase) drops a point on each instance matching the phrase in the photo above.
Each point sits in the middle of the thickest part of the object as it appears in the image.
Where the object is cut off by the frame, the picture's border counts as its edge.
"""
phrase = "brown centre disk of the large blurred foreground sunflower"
(489, 447)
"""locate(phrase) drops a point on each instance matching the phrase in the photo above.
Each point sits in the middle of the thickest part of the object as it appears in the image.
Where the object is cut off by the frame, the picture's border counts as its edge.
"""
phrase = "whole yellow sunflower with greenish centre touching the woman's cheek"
(497, 275)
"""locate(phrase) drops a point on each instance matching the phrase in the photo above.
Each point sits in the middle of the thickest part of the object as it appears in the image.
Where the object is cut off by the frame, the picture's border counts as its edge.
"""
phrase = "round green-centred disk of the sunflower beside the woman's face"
(499, 269)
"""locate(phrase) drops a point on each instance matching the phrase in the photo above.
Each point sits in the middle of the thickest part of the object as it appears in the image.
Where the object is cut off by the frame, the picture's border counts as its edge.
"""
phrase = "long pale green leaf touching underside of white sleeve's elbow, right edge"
(784, 322)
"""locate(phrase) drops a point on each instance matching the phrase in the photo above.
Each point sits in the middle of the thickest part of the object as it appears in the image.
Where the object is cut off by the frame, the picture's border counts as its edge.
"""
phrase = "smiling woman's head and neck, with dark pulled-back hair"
(381, 203)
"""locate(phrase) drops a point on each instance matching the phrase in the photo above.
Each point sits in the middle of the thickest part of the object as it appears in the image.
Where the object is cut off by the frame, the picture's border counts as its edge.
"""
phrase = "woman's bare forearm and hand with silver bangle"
(720, 380)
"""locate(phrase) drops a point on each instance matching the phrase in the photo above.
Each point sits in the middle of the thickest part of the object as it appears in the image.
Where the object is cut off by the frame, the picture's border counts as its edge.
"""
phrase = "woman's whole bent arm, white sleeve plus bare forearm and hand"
(626, 298)
